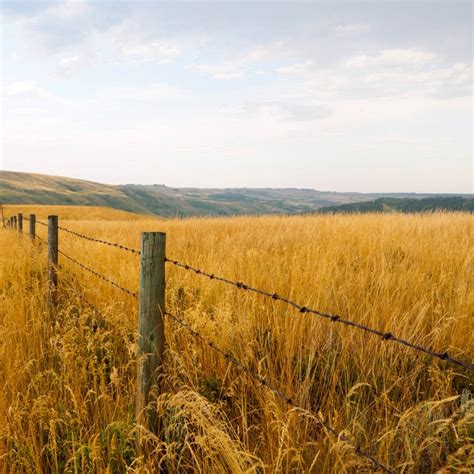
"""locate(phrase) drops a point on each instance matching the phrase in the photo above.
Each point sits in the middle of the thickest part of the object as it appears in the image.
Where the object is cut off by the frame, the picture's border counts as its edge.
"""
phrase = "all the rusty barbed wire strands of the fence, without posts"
(384, 336)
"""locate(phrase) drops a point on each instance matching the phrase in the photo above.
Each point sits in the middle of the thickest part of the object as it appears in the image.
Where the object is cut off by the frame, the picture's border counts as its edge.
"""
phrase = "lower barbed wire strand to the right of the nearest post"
(289, 401)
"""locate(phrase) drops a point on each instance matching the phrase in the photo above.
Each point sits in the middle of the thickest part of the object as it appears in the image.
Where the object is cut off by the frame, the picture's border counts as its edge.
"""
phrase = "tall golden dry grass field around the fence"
(68, 379)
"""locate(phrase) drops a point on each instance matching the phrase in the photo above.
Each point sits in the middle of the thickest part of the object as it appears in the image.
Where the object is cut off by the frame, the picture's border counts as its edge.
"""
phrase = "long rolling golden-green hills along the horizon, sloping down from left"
(28, 188)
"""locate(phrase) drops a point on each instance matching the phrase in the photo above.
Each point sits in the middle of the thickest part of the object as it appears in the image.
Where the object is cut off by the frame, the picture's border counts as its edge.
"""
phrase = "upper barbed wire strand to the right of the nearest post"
(386, 336)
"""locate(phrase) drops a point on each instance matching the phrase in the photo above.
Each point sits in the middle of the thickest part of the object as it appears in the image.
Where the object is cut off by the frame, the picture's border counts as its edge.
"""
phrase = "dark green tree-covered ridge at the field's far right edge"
(440, 203)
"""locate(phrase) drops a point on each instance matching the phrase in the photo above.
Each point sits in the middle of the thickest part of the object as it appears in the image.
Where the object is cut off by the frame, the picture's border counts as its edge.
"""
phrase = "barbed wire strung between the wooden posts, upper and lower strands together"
(386, 336)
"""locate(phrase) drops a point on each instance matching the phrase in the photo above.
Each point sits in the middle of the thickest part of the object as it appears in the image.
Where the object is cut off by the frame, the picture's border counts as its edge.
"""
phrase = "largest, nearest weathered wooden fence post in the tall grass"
(151, 331)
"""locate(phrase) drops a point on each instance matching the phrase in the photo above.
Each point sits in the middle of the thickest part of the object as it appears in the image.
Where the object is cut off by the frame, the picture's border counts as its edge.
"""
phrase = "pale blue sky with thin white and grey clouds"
(341, 96)
